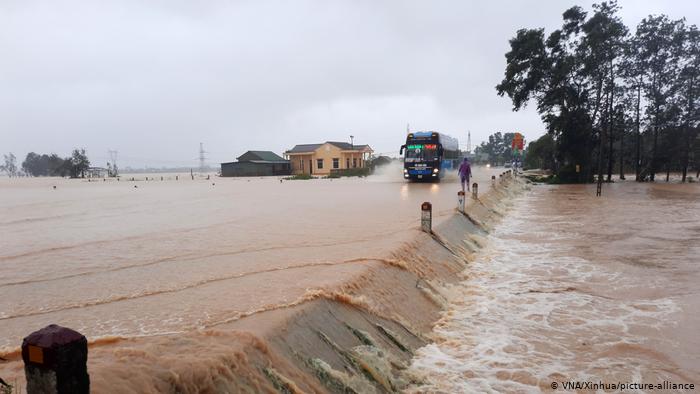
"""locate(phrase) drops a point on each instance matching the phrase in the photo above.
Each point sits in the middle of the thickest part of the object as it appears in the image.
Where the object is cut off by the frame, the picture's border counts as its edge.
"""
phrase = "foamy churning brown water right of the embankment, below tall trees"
(576, 288)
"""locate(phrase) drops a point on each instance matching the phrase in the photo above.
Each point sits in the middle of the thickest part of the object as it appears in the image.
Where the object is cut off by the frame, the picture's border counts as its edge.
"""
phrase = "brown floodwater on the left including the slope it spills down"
(234, 285)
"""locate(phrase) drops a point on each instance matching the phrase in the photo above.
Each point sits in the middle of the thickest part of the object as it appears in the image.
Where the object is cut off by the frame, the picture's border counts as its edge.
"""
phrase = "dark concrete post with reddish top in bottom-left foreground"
(55, 361)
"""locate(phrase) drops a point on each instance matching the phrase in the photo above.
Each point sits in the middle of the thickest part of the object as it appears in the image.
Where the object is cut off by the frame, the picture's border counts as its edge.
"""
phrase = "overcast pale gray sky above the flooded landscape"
(153, 79)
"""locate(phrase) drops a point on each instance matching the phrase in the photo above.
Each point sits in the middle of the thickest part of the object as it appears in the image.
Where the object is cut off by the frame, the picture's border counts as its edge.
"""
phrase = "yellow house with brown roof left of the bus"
(321, 159)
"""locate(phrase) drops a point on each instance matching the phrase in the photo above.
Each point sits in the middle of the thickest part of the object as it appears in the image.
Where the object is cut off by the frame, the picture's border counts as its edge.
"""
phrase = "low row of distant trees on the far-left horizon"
(35, 164)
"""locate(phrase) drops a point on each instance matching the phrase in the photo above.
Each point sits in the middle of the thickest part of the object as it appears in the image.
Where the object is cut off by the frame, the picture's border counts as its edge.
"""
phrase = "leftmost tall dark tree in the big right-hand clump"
(571, 76)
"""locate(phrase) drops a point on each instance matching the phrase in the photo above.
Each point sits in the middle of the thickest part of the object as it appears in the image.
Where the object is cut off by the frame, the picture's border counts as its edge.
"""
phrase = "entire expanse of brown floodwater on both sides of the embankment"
(203, 285)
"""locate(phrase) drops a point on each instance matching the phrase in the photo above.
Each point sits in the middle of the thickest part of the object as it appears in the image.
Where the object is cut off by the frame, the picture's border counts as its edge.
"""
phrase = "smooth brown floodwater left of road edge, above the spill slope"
(151, 257)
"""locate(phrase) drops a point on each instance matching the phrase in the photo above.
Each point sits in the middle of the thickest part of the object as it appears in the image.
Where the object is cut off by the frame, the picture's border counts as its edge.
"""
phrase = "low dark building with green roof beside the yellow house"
(256, 163)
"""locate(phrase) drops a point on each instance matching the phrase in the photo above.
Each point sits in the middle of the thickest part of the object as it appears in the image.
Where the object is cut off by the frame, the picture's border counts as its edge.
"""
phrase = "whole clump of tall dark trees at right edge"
(611, 99)
